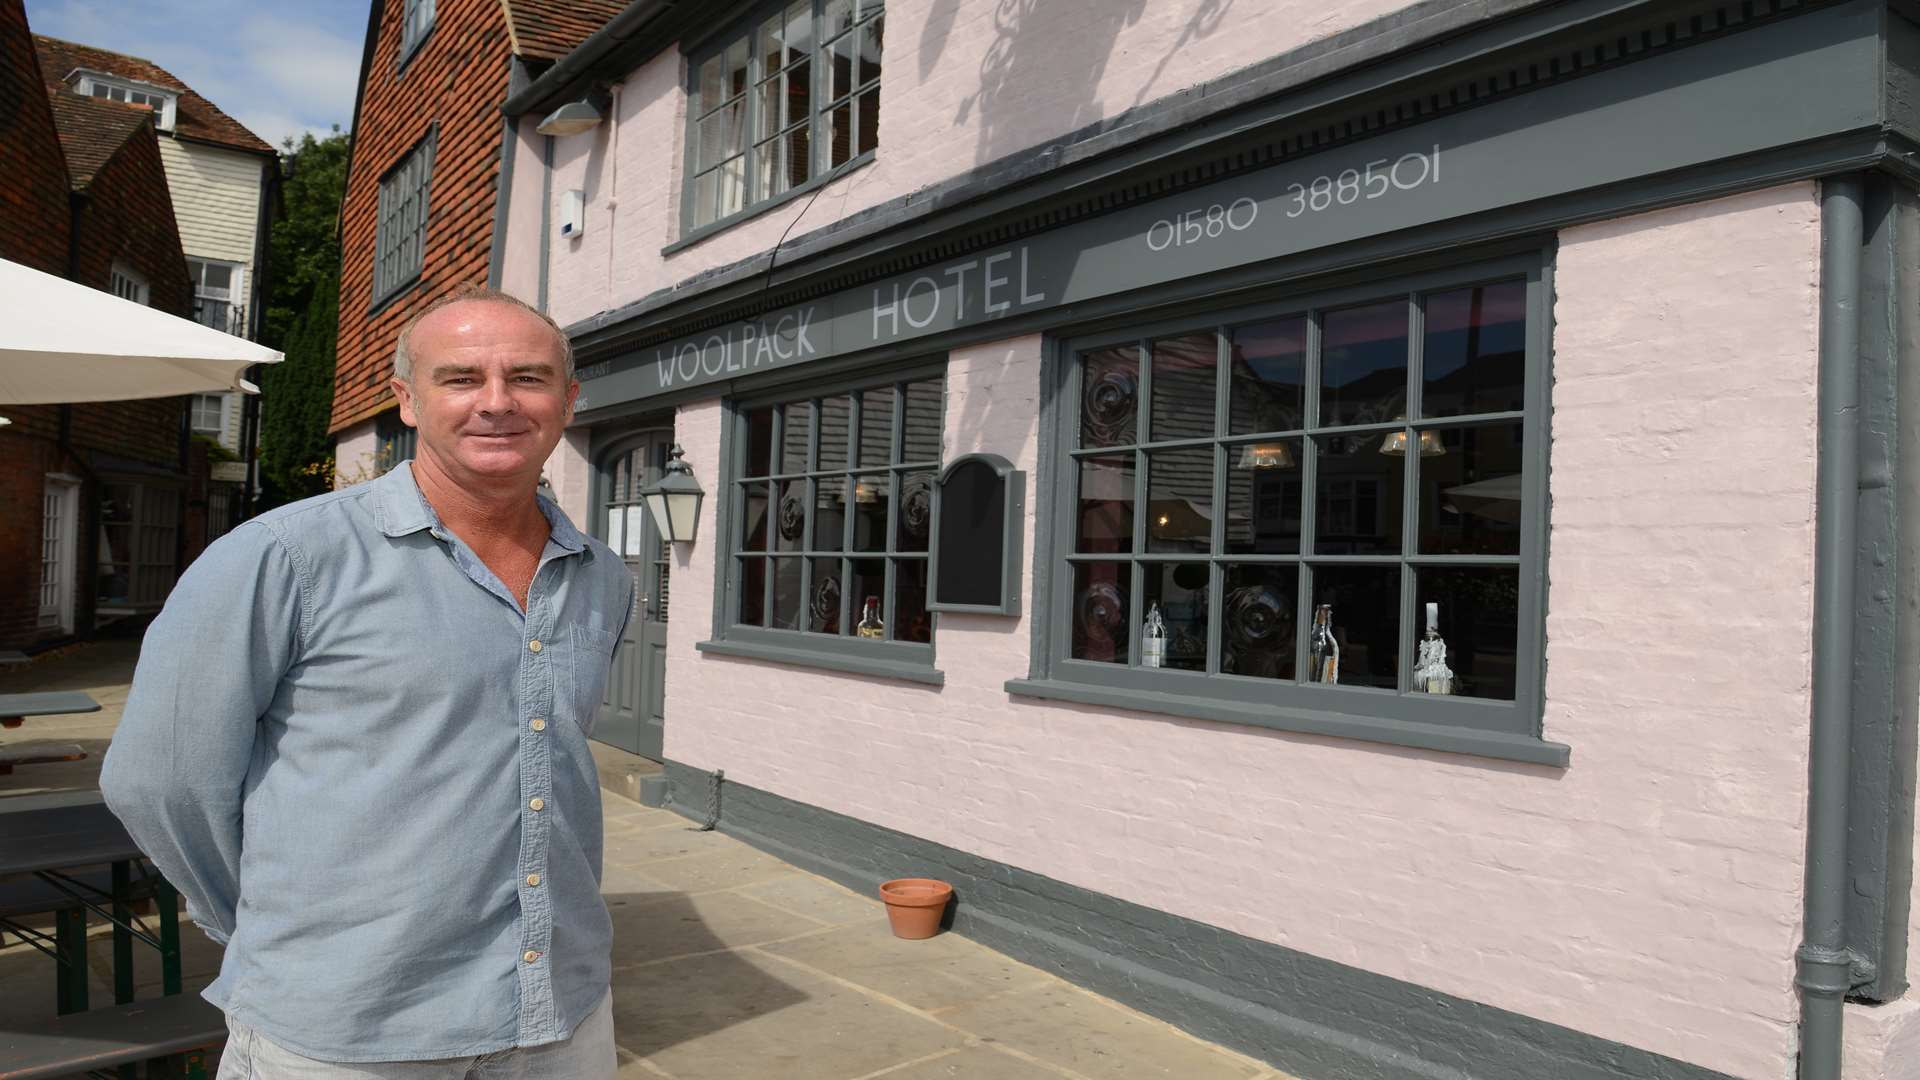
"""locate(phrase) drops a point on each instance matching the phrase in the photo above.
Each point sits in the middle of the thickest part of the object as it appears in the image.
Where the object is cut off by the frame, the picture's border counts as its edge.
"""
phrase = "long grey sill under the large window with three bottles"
(1506, 747)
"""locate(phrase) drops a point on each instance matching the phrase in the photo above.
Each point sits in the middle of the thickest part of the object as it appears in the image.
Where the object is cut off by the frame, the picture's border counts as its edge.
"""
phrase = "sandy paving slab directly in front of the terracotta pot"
(938, 973)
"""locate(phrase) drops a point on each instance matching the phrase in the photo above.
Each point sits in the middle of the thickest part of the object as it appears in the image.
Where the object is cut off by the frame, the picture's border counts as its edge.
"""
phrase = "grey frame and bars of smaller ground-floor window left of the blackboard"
(911, 662)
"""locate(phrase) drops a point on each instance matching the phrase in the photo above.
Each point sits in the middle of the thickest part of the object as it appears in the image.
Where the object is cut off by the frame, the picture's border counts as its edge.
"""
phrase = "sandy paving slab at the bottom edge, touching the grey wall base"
(1068, 1027)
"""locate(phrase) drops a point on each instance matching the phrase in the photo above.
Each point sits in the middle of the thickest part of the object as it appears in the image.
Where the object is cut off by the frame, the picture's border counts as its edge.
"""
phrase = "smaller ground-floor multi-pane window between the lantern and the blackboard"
(830, 508)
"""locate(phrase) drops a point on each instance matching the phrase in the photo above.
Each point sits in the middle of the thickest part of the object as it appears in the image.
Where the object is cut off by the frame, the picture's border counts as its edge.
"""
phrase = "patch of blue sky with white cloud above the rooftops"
(277, 68)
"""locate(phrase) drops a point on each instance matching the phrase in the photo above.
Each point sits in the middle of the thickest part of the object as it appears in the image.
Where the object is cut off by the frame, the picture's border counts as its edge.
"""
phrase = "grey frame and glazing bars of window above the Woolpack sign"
(819, 118)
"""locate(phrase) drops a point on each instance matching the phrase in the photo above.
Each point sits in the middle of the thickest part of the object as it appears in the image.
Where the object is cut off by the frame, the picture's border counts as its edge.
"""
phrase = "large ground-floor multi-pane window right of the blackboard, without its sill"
(1268, 508)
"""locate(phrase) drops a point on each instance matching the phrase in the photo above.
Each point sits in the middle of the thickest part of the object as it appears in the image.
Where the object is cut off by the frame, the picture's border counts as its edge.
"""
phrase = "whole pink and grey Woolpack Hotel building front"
(1454, 608)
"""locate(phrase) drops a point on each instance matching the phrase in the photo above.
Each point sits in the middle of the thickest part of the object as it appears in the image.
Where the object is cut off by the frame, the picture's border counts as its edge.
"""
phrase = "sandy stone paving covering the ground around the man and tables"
(729, 964)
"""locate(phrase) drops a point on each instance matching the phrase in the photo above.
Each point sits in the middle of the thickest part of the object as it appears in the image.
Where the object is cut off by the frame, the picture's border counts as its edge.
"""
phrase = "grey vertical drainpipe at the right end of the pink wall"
(1825, 962)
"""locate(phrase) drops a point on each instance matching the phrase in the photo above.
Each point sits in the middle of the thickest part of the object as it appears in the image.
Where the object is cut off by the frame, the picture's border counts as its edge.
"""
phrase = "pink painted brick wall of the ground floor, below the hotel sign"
(1648, 895)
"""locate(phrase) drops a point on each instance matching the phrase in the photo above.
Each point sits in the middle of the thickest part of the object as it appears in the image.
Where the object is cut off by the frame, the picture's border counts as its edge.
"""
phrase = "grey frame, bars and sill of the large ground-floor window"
(1401, 716)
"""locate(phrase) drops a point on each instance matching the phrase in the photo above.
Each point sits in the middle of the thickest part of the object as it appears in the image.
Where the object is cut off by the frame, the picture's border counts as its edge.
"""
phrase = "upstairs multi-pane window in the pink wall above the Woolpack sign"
(780, 105)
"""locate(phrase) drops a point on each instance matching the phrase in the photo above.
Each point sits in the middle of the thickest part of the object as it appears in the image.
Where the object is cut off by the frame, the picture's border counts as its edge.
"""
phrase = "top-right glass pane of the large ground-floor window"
(1476, 353)
